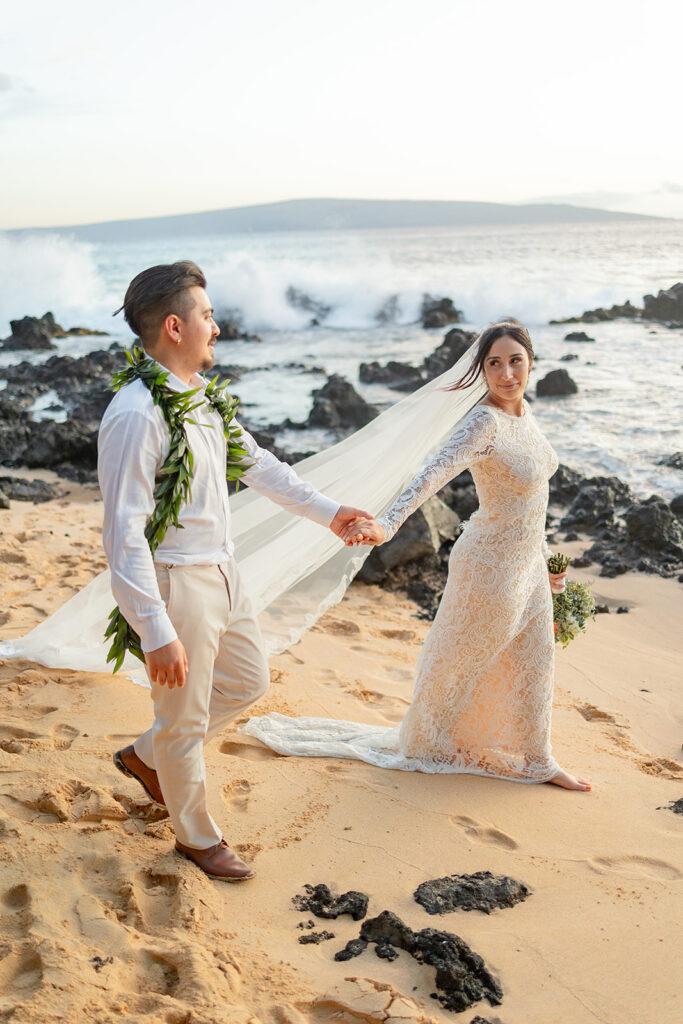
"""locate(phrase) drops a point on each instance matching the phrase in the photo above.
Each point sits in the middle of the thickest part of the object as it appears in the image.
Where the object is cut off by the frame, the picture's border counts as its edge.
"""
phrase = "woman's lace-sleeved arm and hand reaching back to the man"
(473, 441)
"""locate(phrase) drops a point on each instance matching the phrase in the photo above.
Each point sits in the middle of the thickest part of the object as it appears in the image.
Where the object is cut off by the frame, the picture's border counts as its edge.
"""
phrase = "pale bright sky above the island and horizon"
(146, 108)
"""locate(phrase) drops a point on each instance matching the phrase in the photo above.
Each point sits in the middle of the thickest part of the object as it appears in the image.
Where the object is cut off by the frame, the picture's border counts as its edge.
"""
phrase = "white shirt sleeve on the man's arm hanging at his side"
(133, 448)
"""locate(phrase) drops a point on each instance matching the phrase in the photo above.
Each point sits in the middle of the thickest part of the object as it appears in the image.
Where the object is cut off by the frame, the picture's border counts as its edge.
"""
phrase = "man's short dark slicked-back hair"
(158, 292)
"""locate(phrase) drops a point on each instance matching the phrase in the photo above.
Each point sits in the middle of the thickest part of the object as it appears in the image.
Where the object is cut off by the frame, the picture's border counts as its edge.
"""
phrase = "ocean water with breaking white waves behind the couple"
(628, 413)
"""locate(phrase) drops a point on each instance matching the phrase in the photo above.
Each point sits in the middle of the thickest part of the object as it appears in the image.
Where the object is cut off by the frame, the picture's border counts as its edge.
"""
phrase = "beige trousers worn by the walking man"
(228, 672)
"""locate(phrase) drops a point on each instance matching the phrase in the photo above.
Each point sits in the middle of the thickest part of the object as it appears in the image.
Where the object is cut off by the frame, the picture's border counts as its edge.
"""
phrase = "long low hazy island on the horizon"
(335, 215)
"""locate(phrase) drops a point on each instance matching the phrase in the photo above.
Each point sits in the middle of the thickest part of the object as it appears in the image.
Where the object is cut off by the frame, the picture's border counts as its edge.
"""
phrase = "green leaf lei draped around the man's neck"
(175, 480)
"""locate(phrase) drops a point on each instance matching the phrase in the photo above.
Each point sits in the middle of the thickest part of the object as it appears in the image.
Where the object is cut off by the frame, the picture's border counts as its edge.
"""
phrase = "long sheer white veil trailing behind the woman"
(293, 570)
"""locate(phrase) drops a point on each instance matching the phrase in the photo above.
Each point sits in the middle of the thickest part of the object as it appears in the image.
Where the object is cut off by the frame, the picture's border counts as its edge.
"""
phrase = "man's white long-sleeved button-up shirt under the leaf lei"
(134, 445)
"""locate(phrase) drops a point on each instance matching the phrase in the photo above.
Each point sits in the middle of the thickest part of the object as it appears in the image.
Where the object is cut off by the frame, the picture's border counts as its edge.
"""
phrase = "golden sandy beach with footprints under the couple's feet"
(102, 922)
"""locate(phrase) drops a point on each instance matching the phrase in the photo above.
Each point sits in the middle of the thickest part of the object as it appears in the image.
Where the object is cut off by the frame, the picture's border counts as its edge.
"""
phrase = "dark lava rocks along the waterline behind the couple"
(622, 532)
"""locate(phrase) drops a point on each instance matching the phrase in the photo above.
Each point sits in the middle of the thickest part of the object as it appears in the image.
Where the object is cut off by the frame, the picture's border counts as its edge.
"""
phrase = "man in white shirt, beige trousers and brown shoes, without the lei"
(199, 633)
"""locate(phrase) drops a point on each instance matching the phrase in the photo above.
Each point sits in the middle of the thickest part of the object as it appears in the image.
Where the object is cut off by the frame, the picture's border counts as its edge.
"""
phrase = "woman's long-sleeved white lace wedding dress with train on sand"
(484, 684)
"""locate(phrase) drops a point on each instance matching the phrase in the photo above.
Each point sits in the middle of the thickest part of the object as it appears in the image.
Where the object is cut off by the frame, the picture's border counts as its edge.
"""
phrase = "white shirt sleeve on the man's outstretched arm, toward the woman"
(279, 483)
